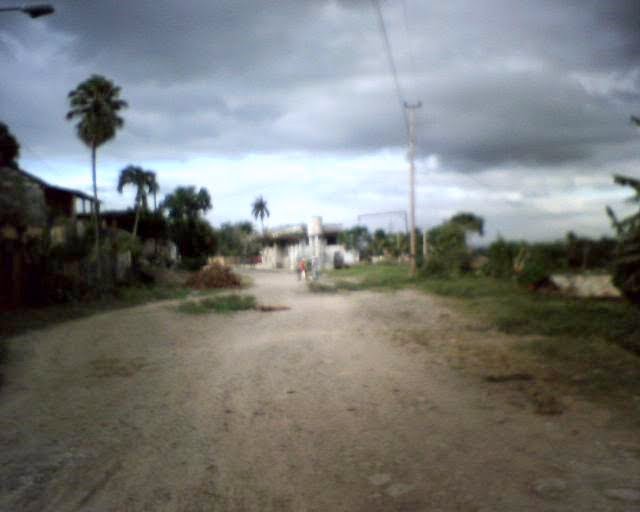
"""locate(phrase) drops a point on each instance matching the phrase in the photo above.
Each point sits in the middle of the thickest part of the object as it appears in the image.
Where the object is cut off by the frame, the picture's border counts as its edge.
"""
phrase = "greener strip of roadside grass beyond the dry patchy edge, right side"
(509, 307)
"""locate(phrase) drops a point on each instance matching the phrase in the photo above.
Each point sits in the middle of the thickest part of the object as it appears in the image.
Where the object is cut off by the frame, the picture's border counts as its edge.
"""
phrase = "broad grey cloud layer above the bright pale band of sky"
(526, 83)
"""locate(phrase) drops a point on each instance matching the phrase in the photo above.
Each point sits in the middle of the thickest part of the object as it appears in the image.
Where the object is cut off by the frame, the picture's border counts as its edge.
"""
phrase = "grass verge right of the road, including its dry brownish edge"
(589, 345)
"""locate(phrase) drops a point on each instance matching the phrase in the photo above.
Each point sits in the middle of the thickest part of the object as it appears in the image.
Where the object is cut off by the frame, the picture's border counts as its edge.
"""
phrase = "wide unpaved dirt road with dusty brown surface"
(323, 407)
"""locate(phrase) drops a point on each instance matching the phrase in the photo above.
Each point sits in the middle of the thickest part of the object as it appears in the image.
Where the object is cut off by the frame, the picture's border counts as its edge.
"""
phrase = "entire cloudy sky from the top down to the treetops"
(524, 117)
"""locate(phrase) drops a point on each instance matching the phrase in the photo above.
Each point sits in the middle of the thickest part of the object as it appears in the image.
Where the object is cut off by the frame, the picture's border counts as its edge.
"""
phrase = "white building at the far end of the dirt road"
(317, 242)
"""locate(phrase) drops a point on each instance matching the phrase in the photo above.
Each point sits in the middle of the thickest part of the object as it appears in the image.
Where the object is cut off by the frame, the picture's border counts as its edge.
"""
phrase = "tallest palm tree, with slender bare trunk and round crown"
(96, 103)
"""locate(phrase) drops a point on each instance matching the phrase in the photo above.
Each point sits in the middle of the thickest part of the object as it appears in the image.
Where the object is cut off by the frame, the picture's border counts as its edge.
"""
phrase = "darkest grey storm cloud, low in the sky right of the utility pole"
(533, 118)
